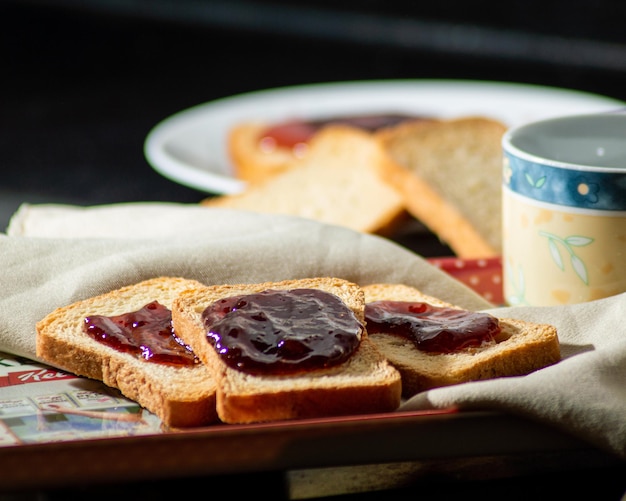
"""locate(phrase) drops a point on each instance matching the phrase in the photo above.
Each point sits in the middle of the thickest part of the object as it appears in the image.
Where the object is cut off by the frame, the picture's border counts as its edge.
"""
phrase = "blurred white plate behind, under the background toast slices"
(190, 146)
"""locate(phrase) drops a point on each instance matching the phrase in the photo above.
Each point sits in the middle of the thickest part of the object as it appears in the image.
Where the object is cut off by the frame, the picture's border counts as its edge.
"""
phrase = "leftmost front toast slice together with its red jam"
(94, 338)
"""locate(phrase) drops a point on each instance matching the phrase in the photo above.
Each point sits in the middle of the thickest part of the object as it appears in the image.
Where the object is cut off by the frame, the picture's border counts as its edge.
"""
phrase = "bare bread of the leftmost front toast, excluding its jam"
(180, 395)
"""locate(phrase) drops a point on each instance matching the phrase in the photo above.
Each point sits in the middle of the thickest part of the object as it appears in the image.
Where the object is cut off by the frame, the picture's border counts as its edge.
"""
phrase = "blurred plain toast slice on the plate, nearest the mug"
(449, 175)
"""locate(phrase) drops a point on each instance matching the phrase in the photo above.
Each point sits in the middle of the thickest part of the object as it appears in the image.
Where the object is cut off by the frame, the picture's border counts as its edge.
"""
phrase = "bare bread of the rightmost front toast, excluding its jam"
(521, 348)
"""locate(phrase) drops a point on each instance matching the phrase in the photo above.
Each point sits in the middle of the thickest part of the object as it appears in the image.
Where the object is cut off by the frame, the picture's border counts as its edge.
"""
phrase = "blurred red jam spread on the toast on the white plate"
(292, 133)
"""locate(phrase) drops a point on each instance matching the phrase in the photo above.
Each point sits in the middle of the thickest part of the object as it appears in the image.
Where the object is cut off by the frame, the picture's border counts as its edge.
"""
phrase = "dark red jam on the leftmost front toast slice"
(146, 333)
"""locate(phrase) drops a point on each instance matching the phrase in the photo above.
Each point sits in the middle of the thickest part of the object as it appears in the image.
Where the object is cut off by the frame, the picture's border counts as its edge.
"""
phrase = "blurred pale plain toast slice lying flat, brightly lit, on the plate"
(338, 182)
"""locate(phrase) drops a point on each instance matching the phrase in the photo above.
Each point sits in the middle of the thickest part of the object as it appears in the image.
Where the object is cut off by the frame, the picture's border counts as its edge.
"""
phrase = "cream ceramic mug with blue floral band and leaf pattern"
(564, 210)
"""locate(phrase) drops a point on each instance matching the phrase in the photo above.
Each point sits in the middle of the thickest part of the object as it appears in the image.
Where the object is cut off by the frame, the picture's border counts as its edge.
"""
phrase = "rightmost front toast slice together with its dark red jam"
(433, 343)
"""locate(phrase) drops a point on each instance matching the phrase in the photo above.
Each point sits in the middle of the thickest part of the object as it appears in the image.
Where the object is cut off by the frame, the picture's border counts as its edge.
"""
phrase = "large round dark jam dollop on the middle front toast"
(282, 331)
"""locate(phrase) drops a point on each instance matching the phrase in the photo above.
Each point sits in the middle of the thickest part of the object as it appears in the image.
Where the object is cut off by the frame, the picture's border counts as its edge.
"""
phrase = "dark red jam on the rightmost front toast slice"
(432, 328)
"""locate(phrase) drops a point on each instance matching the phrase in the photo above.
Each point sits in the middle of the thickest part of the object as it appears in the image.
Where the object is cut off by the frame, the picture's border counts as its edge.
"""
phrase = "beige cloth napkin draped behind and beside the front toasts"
(54, 255)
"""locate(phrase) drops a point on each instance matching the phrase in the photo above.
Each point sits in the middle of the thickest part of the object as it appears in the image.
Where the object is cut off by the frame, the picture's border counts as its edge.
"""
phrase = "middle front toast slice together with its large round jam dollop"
(287, 350)
